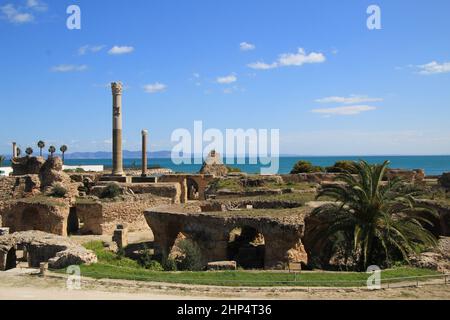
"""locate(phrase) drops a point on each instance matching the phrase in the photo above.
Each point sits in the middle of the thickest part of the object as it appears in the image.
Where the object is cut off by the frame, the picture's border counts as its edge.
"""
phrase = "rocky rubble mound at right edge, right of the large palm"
(438, 259)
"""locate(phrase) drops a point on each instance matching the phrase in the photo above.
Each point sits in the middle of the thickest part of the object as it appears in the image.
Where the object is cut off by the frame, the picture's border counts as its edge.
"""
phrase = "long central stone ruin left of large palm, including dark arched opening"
(269, 240)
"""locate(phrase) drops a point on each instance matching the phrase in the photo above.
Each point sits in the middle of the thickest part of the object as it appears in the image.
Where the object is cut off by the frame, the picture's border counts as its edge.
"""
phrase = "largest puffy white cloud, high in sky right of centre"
(290, 59)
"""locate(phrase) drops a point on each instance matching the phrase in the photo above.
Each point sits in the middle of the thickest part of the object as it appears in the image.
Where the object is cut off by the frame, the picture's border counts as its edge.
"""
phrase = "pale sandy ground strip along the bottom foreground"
(20, 285)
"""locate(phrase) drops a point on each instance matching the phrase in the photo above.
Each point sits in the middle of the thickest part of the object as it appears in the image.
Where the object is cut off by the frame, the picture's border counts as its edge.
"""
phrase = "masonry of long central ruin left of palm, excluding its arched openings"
(211, 232)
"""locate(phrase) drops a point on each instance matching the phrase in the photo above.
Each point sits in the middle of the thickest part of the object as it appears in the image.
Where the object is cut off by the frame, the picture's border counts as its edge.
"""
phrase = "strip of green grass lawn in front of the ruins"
(111, 266)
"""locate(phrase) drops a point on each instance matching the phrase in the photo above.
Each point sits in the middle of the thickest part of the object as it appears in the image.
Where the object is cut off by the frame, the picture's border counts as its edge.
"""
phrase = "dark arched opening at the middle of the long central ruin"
(246, 246)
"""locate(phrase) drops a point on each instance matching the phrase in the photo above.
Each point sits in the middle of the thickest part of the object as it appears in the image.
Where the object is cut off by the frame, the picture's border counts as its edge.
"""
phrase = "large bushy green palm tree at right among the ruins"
(370, 220)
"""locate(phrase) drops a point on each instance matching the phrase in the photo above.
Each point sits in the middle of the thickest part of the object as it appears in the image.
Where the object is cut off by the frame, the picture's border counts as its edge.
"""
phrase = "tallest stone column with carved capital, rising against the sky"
(117, 129)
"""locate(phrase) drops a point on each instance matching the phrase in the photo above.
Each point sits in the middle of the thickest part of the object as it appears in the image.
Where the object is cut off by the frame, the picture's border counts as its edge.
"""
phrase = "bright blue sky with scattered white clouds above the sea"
(309, 68)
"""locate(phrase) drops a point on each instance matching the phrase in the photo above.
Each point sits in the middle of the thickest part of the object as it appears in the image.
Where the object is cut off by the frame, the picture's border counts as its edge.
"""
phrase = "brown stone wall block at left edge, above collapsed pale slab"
(49, 215)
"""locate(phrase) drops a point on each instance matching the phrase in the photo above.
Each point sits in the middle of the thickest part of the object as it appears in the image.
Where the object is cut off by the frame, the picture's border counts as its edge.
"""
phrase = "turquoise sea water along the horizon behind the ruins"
(433, 165)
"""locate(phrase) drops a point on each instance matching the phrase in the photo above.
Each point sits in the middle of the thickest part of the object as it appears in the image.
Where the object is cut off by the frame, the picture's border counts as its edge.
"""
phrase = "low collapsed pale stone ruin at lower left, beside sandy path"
(59, 252)
